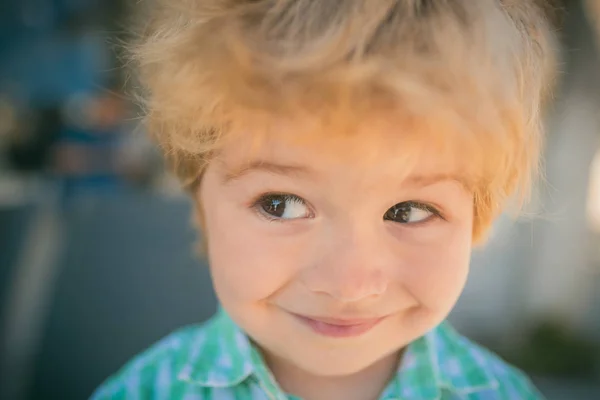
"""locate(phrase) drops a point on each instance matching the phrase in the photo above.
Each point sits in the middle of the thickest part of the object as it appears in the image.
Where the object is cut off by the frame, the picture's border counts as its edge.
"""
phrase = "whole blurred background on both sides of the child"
(96, 258)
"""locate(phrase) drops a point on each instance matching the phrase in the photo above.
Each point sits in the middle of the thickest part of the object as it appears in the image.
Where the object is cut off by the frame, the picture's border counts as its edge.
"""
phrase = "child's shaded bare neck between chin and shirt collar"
(367, 384)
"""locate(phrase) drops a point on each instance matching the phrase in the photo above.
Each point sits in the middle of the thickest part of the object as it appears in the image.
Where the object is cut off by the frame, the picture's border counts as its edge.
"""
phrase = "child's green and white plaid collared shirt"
(216, 361)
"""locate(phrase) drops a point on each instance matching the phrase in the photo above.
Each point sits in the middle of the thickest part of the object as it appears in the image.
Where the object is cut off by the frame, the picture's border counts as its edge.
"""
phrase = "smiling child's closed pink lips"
(339, 328)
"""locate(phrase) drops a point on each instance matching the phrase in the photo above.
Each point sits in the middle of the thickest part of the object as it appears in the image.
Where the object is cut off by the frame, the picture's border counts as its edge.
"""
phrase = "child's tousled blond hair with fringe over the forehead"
(210, 67)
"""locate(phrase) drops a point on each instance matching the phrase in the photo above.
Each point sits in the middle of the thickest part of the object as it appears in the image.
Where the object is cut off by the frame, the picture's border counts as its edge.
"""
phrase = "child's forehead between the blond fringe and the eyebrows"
(383, 149)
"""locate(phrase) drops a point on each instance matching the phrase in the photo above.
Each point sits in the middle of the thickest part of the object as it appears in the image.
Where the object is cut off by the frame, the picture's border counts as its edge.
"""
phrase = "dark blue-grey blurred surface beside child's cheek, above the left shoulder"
(127, 278)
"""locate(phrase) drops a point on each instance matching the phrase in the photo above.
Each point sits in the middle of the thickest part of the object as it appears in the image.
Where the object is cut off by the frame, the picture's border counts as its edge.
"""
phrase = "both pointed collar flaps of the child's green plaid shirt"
(222, 356)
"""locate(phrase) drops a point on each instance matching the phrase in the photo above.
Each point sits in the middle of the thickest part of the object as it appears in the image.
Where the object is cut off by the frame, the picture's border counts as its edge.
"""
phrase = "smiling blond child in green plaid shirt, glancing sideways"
(344, 156)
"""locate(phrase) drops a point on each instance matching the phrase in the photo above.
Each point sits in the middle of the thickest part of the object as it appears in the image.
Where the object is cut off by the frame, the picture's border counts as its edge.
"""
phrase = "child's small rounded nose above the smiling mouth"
(350, 268)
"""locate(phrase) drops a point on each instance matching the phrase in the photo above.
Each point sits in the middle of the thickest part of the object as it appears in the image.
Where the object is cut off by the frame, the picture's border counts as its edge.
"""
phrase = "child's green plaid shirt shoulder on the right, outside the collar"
(483, 374)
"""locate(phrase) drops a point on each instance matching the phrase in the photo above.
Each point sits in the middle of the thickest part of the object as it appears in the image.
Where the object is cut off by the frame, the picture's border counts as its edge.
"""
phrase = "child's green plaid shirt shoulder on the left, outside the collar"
(154, 373)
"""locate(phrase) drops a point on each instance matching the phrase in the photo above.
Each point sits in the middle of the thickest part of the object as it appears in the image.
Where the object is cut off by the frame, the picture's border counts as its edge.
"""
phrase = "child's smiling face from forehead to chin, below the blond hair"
(330, 254)
